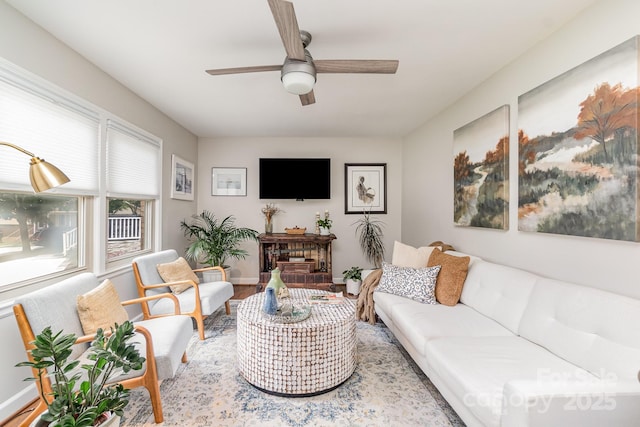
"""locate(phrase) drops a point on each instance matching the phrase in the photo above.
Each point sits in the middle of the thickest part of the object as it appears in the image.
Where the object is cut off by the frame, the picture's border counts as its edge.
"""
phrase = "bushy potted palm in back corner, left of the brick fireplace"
(213, 241)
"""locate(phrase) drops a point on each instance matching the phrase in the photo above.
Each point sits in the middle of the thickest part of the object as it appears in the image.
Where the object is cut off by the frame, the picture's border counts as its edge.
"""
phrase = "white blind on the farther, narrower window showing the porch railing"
(133, 163)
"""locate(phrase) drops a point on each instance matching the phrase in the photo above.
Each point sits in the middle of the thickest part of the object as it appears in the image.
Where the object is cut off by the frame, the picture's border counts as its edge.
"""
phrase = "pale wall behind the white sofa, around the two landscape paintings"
(428, 159)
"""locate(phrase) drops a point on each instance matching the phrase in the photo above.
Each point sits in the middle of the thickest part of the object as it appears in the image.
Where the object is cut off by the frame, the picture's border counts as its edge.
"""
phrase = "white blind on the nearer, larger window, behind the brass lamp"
(51, 127)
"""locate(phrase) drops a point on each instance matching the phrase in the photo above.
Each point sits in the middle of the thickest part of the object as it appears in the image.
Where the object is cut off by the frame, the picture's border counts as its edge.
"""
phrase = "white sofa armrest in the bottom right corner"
(585, 403)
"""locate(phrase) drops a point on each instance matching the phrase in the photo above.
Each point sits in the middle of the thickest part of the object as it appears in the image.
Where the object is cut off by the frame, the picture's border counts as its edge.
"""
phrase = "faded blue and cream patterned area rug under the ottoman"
(386, 389)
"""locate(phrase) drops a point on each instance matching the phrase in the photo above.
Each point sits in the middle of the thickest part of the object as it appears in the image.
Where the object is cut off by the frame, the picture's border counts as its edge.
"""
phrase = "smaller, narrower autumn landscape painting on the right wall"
(481, 171)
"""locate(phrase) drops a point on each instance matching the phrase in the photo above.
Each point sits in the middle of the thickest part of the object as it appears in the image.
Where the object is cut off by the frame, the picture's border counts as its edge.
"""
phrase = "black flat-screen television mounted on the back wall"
(295, 178)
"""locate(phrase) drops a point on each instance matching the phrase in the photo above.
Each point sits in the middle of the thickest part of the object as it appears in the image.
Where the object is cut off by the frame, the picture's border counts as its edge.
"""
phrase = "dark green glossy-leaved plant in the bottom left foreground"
(86, 398)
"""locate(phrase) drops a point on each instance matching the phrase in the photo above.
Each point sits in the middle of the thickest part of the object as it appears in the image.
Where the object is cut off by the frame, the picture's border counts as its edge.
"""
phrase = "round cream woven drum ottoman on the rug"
(300, 359)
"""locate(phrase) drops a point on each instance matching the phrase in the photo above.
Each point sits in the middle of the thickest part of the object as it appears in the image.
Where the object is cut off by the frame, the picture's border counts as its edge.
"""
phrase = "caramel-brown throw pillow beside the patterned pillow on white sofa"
(451, 277)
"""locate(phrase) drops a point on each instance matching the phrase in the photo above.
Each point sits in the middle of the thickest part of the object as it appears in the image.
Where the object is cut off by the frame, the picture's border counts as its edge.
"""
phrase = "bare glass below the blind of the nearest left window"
(38, 235)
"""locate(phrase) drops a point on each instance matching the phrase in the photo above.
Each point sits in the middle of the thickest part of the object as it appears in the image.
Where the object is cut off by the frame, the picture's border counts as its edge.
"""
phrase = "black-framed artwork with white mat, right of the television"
(365, 188)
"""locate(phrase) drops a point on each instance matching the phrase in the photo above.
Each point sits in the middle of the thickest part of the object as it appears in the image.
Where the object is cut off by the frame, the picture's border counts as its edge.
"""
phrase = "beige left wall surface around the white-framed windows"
(31, 48)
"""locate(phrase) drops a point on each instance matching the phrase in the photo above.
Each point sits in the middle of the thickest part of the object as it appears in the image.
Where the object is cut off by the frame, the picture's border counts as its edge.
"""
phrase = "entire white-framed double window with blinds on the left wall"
(114, 170)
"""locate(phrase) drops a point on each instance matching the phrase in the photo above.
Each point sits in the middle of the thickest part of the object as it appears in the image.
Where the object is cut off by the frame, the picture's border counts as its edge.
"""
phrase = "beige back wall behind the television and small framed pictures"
(245, 152)
